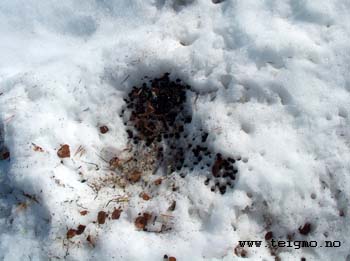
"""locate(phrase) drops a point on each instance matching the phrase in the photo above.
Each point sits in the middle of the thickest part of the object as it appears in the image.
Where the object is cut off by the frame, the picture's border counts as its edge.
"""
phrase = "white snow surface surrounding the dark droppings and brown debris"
(275, 89)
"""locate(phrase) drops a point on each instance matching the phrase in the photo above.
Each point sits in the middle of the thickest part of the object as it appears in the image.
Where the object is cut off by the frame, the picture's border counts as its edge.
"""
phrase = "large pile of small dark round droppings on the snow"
(158, 116)
